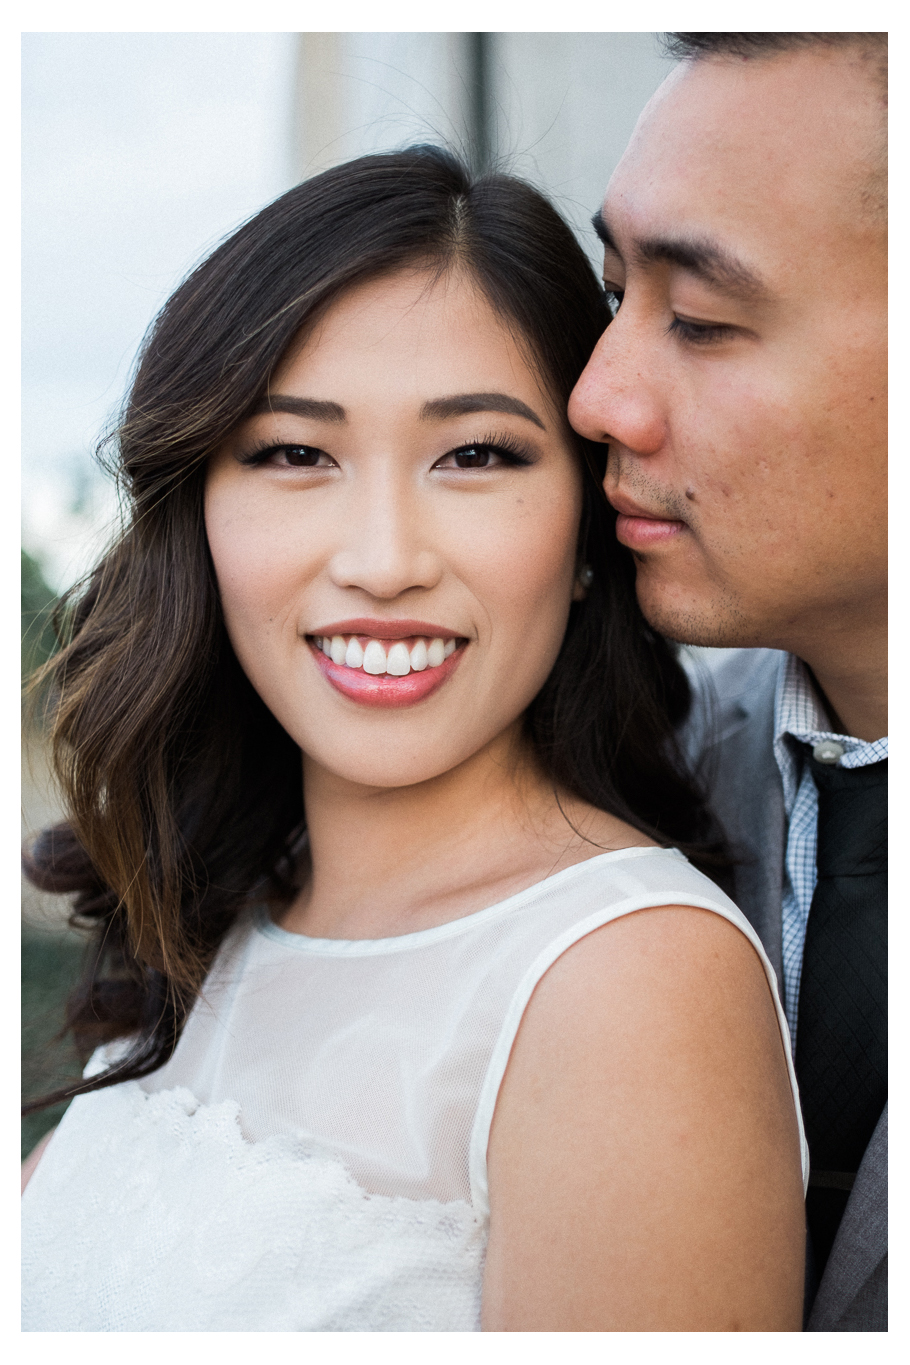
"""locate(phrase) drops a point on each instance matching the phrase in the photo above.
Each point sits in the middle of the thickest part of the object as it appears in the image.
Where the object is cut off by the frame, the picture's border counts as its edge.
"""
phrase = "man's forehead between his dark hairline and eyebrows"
(765, 163)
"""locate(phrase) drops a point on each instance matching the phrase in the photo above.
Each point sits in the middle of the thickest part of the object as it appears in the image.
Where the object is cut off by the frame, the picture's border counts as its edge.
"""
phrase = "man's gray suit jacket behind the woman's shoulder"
(729, 741)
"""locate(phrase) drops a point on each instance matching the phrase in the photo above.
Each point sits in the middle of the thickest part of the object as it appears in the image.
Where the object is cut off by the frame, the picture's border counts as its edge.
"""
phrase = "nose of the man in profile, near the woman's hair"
(617, 398)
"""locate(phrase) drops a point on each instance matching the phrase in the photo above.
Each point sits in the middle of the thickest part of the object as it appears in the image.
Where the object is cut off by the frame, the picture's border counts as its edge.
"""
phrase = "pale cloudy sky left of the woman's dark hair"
(141, 151)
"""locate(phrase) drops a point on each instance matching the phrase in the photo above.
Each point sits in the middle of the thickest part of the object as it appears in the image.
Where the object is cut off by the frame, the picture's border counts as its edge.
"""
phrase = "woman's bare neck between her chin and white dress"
(390, 862)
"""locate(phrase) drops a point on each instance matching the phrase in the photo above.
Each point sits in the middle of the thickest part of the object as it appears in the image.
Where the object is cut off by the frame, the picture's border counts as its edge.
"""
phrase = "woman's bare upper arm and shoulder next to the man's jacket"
(646, 1078)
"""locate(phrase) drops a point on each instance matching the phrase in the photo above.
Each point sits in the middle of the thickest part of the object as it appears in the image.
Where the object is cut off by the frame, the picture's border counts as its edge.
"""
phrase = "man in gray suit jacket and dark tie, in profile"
(742, 390)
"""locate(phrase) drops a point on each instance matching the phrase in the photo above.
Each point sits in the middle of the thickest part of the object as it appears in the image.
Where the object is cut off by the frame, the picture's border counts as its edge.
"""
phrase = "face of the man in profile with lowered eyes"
(743, 384)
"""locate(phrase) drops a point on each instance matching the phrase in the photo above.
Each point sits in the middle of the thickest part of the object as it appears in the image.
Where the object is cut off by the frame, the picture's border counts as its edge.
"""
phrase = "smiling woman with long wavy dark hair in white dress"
(474, 1048)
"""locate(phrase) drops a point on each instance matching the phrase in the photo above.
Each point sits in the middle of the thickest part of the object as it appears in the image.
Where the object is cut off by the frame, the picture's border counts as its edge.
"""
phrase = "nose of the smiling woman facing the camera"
(383, 548)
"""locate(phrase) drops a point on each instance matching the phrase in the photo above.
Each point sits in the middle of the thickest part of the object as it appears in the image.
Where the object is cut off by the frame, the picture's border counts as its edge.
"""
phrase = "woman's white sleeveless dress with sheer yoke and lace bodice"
(313, 1158)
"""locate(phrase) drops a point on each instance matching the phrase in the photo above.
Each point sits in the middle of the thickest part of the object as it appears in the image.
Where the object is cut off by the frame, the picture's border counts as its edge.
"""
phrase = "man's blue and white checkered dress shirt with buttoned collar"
(800, 716)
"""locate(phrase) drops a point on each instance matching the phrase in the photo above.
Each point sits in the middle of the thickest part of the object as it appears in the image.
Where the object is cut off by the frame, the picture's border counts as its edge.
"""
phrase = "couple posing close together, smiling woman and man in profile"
(474, 1045)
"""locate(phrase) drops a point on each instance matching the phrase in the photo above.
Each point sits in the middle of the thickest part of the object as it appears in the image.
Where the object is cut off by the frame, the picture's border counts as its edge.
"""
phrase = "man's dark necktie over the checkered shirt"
(842, 1015)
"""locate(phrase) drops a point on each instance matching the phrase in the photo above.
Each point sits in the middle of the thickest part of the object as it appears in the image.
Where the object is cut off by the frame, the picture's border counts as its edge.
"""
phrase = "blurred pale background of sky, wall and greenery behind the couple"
(141, 152)
